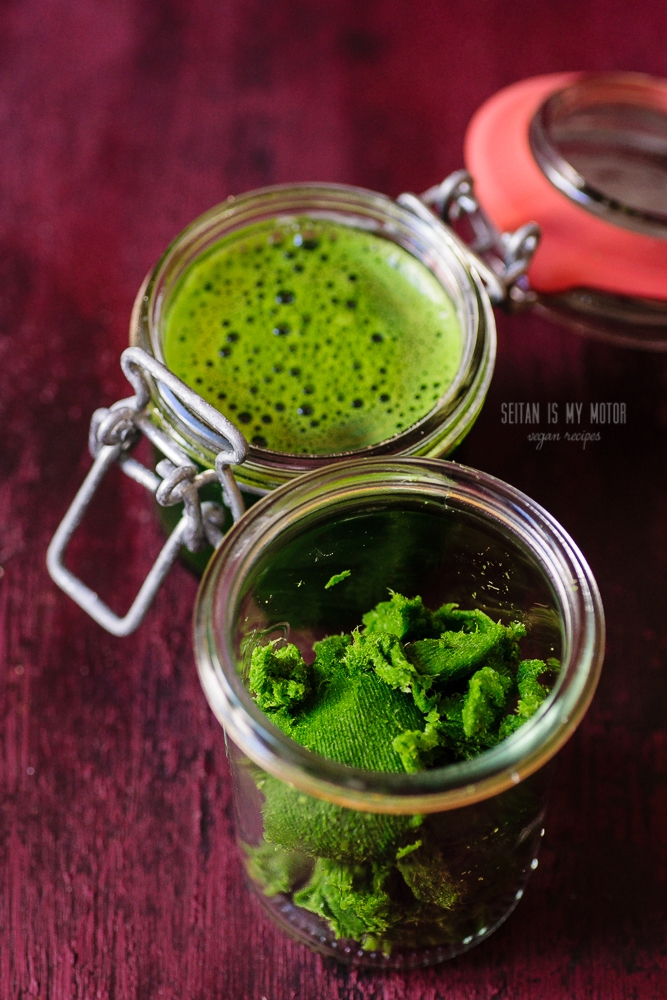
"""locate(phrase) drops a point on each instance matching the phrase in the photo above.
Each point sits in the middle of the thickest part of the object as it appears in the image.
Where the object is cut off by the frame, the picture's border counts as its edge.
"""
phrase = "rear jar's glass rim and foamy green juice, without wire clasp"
(325, 322)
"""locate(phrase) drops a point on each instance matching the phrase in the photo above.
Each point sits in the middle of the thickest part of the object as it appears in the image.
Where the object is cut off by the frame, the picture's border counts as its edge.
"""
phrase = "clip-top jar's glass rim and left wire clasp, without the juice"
(202, 449)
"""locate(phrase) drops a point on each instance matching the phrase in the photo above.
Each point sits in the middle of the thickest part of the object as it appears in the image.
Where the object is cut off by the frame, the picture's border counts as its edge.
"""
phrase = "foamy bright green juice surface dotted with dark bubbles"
(312, 336)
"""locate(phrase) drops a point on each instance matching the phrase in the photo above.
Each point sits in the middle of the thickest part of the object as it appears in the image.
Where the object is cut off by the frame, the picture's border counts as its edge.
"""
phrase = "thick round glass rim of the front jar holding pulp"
(438, 789)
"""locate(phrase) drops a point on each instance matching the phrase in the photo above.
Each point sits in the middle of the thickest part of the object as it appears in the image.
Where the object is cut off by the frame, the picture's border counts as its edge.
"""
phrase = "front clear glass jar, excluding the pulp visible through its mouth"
(384, 869)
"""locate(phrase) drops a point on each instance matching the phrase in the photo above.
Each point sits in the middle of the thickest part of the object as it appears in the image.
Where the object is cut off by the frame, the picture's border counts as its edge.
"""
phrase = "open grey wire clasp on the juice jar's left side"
(113, 434)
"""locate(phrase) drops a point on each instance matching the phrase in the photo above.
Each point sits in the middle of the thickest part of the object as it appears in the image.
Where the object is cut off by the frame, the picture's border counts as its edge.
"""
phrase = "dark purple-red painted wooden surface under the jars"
(121, 121)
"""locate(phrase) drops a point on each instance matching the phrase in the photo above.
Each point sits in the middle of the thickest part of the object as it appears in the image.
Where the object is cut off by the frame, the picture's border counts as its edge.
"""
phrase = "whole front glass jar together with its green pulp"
(391, 756)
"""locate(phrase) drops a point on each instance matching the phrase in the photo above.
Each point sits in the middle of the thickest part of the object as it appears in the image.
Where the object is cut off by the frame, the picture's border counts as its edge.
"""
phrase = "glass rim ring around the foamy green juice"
(438, 431)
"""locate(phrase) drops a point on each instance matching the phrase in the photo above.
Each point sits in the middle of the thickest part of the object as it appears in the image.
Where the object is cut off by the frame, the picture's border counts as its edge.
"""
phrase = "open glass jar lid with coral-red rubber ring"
(585, 156)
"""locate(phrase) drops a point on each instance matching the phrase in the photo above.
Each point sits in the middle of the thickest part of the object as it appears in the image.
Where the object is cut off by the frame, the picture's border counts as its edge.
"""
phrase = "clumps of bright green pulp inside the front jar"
(409, 689)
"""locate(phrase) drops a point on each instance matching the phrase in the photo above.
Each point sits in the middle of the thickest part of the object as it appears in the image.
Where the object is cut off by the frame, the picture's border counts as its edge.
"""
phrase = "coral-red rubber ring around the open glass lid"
(577, 249)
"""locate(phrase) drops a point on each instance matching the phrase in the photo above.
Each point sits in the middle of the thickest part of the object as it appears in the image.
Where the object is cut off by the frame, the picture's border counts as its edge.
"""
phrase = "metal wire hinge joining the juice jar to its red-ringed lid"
(501, 259)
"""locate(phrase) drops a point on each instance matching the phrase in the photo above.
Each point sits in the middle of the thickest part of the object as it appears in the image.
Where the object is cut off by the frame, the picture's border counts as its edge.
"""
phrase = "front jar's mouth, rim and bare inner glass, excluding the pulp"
(414, 526)
